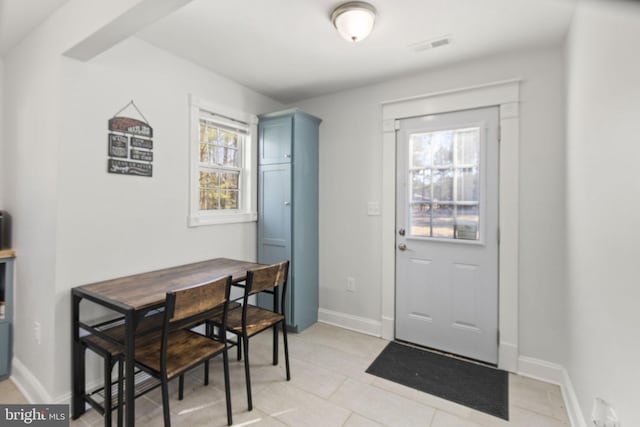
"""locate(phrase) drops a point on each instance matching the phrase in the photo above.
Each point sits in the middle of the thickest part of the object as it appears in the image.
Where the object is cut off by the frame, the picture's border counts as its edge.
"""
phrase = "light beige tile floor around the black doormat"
(329, 387)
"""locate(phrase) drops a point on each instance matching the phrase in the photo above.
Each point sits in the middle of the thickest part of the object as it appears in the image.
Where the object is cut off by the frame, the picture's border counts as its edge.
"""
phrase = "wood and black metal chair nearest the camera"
(180, 348)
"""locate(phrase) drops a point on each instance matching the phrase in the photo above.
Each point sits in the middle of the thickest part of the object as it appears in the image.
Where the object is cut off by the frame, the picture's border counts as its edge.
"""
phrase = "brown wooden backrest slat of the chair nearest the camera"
(194, 300)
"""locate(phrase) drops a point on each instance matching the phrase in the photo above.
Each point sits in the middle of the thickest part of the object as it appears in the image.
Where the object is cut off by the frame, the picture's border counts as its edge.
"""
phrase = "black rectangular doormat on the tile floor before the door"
(470, 384)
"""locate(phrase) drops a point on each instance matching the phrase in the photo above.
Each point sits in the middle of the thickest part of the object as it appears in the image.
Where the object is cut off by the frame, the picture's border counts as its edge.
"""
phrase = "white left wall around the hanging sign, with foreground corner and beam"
(73, 222)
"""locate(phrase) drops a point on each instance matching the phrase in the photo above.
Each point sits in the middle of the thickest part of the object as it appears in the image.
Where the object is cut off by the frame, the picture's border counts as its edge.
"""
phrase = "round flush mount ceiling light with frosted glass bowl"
(354, 20)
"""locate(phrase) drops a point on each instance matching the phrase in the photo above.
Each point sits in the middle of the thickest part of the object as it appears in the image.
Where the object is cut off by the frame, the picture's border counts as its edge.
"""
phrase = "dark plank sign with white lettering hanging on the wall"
(125, 132)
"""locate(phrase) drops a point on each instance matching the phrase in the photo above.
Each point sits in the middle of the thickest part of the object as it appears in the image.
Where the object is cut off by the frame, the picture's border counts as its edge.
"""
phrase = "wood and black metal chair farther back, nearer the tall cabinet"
(250, 320)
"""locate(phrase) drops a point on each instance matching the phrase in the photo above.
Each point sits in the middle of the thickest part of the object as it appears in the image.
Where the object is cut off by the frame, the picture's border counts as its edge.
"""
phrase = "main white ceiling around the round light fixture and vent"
(289, 50)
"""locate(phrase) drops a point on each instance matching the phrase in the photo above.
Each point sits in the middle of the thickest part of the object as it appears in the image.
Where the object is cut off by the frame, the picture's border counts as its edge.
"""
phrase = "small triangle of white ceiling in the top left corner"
(19, 17)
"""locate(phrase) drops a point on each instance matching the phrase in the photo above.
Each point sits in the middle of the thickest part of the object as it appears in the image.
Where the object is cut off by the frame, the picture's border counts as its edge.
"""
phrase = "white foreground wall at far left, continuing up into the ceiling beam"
(31, 132)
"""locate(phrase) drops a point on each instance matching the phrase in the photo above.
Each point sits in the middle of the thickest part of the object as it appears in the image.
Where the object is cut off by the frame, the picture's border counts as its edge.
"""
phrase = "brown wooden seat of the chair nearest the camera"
(185, 349)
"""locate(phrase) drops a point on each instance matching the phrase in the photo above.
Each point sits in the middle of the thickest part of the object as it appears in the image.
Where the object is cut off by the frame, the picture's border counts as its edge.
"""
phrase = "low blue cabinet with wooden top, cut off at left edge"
(6, 312)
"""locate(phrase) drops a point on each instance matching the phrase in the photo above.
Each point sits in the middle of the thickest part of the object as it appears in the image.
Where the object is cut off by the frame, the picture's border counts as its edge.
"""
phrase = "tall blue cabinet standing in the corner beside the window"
(288, 208)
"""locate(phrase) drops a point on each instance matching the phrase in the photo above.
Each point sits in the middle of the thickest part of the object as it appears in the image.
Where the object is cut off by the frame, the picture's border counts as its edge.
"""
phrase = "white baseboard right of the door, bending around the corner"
(556, 374)
